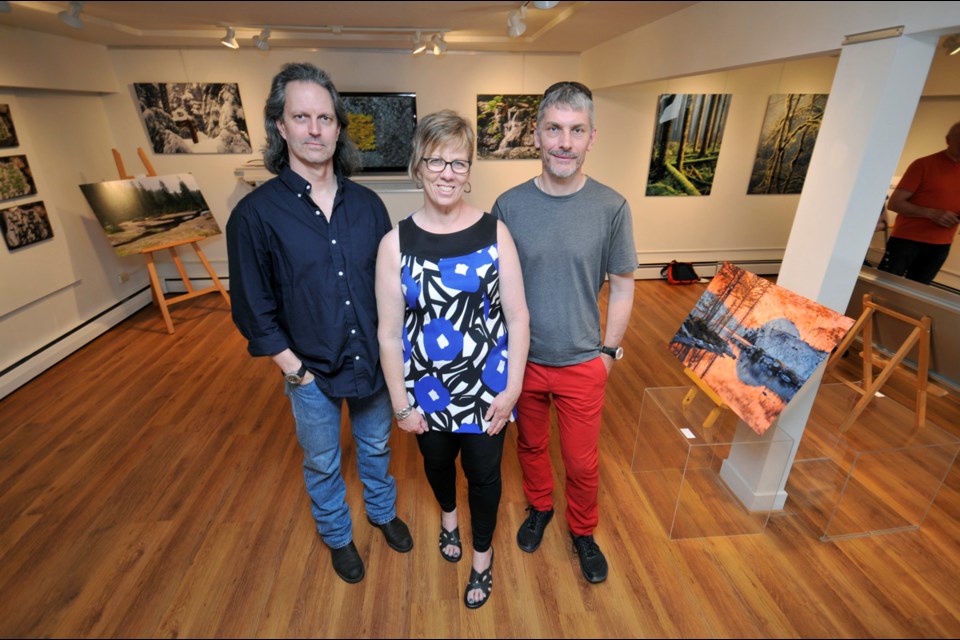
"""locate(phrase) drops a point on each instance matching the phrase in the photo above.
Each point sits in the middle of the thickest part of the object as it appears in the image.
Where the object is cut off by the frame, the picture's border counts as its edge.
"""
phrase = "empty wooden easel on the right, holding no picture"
(864, 324)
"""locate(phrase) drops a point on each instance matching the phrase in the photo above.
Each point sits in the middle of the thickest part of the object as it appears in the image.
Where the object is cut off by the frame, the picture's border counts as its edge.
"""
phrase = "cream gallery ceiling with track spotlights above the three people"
(569, 27)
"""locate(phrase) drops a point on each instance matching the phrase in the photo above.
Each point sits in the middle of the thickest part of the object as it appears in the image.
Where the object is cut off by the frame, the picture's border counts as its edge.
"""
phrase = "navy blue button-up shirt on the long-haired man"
(301, 282)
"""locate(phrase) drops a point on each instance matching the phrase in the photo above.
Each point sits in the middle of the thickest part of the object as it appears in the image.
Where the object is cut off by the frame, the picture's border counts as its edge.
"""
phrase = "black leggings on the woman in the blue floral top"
(480, 459)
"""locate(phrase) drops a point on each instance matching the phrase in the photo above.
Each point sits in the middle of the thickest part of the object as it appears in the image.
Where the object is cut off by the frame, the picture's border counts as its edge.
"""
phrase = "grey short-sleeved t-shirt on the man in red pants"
(567, 245)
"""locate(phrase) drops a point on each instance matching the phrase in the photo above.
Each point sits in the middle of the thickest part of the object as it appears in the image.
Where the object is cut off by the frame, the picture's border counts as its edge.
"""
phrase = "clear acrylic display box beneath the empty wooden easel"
(880, 476)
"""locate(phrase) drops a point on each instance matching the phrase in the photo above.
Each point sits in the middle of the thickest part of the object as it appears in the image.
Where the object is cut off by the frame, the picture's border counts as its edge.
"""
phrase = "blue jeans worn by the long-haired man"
(318, 431)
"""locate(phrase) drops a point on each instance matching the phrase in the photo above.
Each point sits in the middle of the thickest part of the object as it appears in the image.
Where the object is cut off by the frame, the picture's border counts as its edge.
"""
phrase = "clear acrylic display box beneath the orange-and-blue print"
(685, 468)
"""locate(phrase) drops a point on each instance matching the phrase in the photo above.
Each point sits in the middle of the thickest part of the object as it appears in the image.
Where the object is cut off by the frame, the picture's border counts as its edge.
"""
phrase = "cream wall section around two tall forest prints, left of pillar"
(728, 224)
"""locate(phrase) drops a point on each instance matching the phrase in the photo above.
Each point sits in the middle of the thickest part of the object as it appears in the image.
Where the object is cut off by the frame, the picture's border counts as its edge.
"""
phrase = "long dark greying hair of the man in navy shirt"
(346, 158)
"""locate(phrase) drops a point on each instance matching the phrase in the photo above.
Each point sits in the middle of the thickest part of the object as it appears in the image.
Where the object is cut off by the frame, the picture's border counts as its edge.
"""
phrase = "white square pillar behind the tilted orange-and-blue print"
(872, 102)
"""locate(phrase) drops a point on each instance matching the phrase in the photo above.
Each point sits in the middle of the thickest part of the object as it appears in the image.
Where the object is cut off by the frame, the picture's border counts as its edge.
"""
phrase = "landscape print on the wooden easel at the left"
(151, 211)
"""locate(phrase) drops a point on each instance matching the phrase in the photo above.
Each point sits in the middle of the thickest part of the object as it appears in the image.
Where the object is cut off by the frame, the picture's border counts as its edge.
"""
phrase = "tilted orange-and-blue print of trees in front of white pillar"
(755, 343)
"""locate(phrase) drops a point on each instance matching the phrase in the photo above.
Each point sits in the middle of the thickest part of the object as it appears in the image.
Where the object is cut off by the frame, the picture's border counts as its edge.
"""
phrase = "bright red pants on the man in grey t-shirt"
(577, 392)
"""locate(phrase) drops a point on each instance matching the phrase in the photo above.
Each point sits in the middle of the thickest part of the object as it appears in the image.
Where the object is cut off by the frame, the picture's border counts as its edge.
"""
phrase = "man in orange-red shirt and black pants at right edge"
(927, 204)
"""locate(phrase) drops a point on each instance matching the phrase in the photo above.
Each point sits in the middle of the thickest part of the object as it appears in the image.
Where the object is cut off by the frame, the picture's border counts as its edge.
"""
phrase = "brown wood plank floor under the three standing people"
(151, 486)
